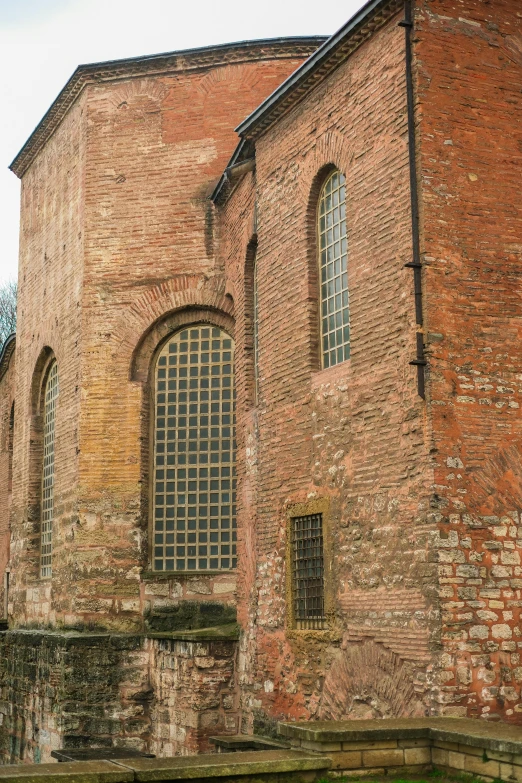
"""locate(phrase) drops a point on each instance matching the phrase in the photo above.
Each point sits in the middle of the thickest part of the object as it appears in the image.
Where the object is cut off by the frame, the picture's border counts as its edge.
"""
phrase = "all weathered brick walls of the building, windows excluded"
(421, 499)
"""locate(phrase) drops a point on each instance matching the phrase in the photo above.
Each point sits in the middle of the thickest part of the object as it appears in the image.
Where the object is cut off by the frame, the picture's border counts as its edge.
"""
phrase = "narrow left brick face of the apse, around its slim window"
(49, 320)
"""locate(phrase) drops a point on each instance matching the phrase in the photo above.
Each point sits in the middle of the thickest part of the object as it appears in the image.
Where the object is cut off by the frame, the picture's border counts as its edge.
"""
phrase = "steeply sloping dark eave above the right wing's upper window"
(322, 62)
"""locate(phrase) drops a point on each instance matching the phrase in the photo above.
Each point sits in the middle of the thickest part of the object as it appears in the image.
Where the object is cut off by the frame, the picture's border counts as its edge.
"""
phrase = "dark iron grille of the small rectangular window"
(308, 571)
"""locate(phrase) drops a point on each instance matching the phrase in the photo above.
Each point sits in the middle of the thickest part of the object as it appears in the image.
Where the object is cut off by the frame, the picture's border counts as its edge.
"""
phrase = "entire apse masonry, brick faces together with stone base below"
(116, 250)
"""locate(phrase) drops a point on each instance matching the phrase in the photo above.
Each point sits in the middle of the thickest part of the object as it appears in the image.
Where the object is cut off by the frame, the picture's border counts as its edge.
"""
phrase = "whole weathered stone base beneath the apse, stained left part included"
(74, 690)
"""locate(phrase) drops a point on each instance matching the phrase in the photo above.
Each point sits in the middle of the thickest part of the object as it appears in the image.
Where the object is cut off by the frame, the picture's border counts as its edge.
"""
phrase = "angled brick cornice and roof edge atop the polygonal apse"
(182, 60)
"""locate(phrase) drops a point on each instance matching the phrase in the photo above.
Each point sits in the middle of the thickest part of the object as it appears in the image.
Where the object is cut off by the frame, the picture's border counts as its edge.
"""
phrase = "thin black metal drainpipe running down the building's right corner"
(420, 360)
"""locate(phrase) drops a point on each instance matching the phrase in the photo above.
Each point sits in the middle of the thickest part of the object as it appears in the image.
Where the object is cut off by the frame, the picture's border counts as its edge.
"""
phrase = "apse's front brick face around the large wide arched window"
(155, 148)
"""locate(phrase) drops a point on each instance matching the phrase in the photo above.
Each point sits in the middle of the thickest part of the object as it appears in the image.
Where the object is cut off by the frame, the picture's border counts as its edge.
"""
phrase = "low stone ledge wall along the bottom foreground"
(323, 750)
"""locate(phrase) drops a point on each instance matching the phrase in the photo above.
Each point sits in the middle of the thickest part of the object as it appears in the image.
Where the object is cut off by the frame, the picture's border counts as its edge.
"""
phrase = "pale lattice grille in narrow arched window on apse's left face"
(47, 517)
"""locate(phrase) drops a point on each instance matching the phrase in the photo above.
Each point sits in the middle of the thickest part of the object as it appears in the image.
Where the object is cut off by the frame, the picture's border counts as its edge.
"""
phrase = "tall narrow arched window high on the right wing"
(333, 263)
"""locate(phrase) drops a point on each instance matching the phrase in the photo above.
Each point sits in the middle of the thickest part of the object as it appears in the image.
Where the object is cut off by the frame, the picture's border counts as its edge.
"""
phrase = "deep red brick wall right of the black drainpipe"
(469, 79)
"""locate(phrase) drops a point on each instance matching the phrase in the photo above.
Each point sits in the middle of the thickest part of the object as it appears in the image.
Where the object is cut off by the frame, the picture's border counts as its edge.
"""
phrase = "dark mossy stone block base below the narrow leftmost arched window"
(71, 691)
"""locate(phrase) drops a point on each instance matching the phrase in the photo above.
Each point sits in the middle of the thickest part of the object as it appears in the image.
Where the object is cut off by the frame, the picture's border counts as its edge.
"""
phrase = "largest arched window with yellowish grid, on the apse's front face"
(194, 452)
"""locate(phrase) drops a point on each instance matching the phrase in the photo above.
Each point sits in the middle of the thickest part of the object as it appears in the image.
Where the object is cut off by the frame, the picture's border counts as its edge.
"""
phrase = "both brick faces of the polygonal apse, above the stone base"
(117, 234)
